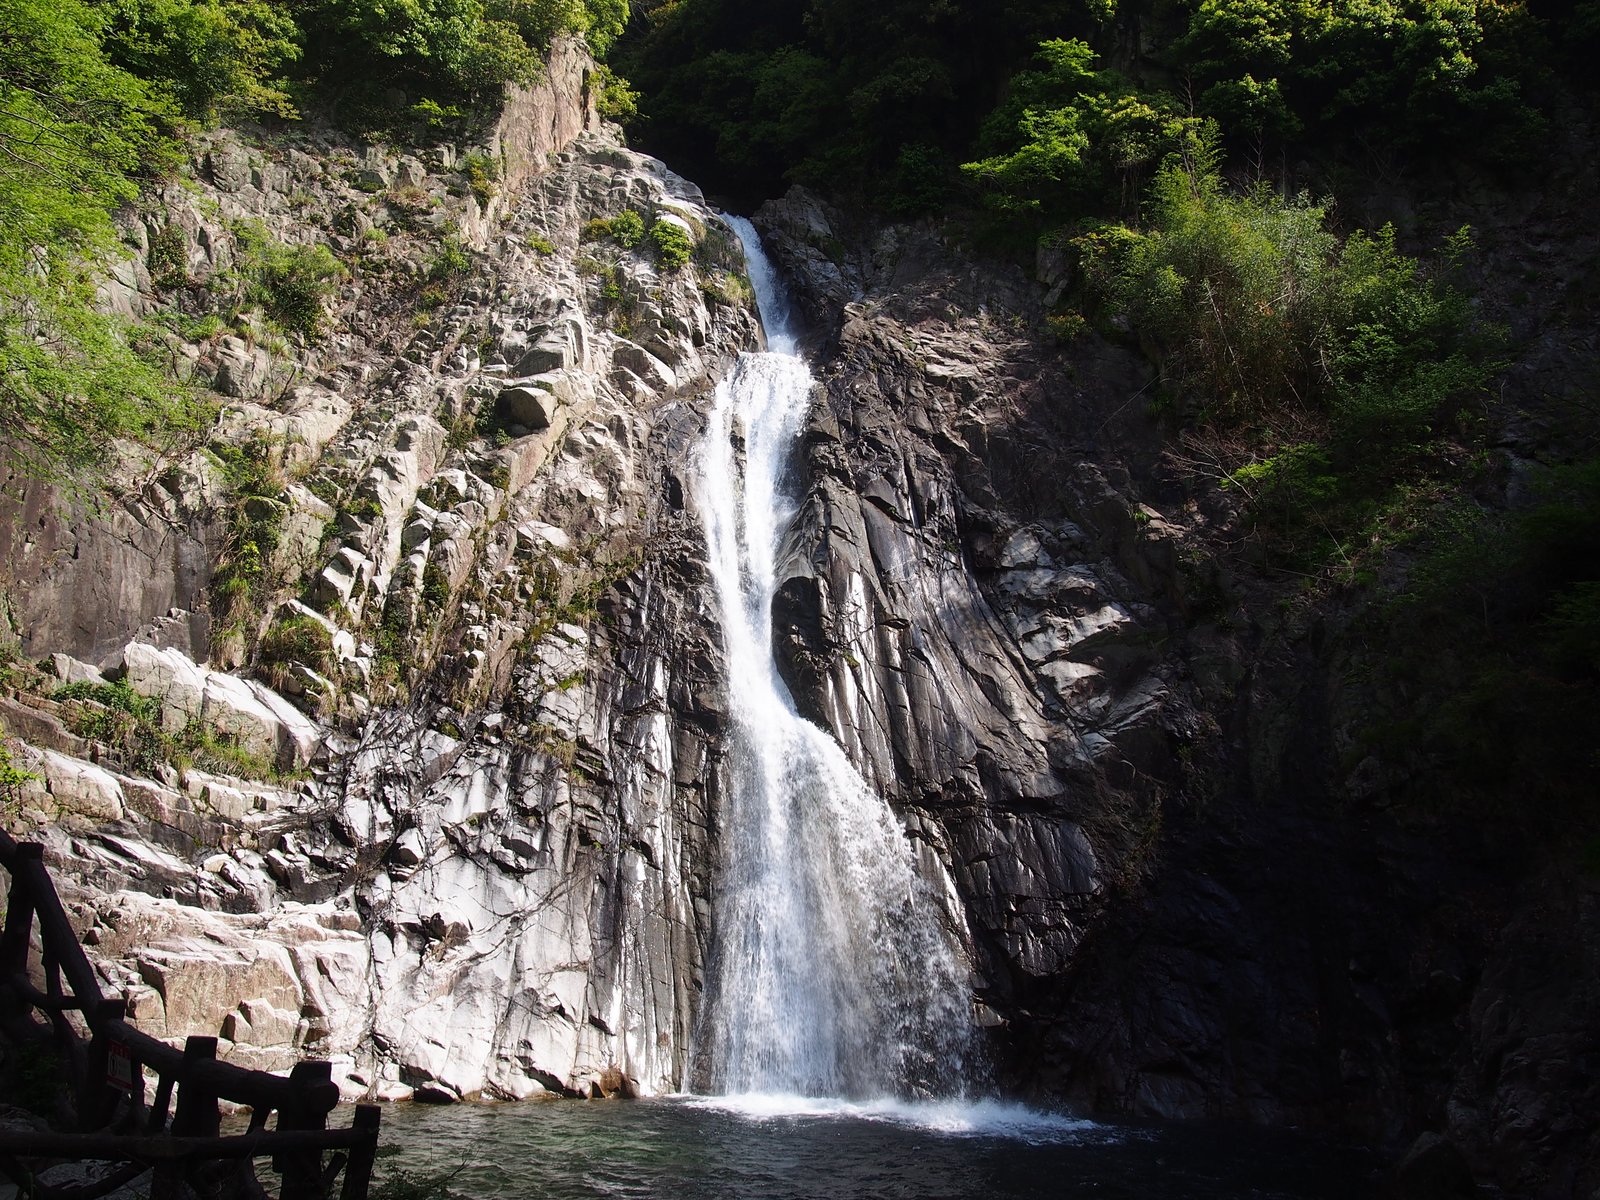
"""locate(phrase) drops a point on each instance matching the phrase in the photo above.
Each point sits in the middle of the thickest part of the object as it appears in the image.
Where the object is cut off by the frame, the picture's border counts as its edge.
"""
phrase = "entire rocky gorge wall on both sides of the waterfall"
(494, 876)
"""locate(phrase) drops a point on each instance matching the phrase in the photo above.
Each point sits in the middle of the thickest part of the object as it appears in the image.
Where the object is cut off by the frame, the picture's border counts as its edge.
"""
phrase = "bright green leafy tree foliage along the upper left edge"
(76, 135)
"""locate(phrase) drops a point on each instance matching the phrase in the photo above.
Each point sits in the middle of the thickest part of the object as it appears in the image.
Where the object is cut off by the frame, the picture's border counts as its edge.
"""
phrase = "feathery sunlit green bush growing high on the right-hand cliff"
(1260, 308)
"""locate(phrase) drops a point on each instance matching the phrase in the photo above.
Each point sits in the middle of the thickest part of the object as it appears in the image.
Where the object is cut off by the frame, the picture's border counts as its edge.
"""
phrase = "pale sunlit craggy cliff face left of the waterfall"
(463, 727)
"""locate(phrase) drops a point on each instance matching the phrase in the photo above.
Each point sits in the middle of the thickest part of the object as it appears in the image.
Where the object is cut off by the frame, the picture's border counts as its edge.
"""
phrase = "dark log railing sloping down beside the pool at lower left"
(175, 1135)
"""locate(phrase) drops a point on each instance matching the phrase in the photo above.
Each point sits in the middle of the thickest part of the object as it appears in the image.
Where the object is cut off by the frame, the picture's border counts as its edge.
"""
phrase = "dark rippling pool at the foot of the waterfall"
(785, 1148)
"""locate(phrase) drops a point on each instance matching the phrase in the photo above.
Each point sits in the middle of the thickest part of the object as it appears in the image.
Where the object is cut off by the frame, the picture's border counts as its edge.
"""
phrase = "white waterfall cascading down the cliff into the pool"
(831, 974)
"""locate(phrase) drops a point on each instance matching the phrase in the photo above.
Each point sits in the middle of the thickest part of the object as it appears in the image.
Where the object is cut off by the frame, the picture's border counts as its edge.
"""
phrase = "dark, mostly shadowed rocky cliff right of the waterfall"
(1188, 897)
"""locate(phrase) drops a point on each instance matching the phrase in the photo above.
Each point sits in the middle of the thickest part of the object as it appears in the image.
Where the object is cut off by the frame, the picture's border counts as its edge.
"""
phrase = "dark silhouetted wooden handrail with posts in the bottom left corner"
(303, 1100)
